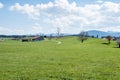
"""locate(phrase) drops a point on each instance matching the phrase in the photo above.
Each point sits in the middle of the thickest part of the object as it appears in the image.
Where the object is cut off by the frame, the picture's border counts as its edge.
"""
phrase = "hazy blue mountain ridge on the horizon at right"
(102, 33)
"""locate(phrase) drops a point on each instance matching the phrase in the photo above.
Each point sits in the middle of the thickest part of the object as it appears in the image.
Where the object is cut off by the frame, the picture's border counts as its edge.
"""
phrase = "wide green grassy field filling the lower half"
(71, 60)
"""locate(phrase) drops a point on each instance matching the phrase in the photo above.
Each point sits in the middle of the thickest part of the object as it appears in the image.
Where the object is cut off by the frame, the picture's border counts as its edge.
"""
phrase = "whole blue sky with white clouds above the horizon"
(71, 16)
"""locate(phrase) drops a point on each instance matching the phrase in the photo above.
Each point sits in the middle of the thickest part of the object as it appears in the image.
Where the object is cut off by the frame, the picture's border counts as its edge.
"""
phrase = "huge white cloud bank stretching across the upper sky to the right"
(62, 13)
